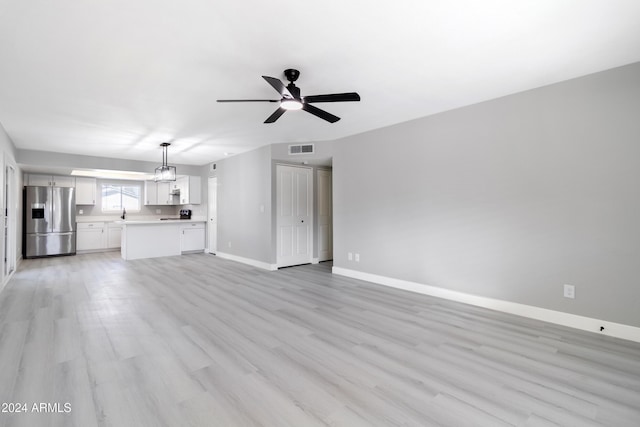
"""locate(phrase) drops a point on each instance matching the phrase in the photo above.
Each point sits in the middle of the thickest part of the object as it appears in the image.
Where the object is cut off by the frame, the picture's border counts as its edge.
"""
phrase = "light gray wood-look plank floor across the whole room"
(200, 341)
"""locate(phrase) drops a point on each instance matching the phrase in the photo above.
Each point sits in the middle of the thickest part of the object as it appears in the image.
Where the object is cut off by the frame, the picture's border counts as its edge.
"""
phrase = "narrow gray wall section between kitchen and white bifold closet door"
(244, 186)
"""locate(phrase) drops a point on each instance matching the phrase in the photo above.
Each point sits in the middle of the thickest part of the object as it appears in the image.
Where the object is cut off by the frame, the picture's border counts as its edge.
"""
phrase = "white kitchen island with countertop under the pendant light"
(157, 238)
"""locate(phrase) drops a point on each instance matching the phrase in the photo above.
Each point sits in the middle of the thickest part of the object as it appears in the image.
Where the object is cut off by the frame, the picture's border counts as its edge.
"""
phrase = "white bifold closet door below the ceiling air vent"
(294, 219)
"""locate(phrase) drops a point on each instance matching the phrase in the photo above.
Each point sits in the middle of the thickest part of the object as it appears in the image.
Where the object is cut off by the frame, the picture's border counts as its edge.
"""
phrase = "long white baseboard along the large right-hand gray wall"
(617, 330)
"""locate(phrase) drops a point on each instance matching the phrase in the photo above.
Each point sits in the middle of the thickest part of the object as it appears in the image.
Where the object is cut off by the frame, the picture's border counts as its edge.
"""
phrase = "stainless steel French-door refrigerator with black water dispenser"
(50, 221)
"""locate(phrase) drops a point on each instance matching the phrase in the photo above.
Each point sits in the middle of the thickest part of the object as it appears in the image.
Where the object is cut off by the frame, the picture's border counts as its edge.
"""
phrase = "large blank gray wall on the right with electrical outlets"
(506, 199)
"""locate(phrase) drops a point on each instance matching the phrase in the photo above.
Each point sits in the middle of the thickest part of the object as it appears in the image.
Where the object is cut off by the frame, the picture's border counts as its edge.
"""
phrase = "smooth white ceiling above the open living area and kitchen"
(115, 78)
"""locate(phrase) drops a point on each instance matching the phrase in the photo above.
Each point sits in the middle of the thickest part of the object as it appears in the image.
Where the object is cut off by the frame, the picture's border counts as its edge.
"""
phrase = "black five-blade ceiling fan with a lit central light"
(291, 99)
